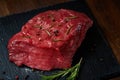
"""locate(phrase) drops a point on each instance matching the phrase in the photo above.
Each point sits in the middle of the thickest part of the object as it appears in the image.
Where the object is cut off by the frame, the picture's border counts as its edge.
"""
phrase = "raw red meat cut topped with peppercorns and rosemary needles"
(49, 40)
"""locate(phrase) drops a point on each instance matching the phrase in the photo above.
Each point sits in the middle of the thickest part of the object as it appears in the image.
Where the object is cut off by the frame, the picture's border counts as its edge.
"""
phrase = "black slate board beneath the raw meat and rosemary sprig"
(99, 62)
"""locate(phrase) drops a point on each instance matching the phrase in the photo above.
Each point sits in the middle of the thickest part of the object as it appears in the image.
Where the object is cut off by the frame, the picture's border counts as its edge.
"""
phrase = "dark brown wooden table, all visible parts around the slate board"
(107, 13)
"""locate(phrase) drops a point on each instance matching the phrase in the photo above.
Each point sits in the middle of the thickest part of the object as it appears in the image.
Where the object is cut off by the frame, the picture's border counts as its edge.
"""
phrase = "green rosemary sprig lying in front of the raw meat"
(72, 72)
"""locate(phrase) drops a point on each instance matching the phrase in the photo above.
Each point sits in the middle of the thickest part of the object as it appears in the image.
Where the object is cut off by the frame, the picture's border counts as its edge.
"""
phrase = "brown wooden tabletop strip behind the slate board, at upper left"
(8, 7)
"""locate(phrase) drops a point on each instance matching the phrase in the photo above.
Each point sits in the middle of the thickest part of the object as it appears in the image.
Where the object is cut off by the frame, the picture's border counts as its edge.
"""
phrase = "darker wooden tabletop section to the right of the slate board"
(107, 14)
